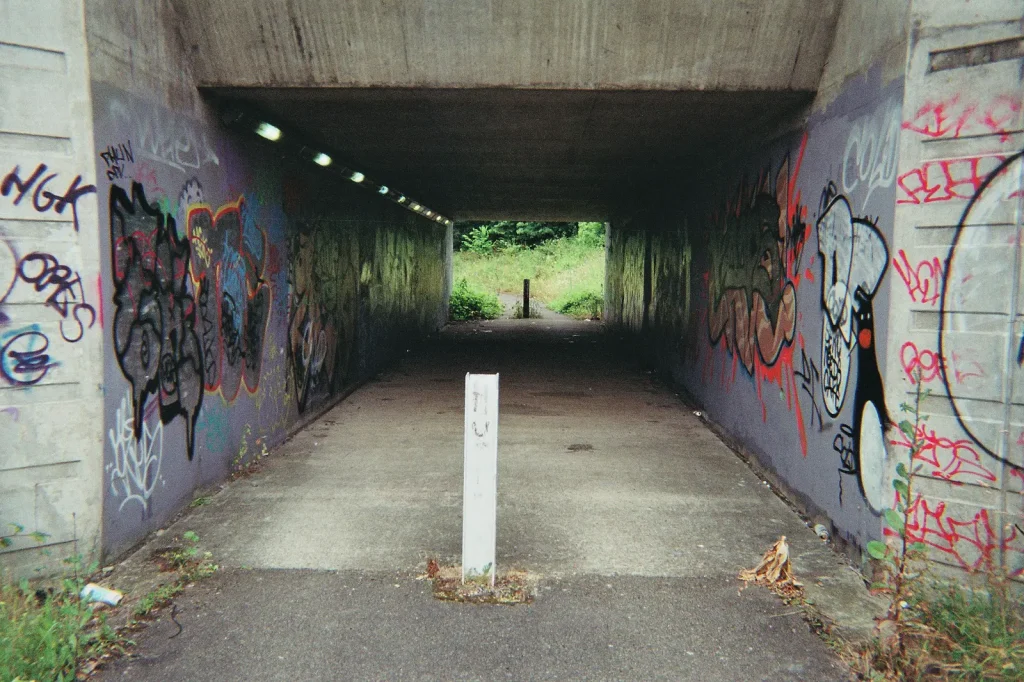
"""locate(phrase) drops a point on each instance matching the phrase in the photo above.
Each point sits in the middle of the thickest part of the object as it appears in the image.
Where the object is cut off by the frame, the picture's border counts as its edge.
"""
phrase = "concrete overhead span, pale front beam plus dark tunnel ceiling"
(498, 109)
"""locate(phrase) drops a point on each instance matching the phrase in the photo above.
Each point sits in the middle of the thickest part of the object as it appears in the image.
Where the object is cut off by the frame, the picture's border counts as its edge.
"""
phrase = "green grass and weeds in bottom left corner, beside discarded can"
(47, 634)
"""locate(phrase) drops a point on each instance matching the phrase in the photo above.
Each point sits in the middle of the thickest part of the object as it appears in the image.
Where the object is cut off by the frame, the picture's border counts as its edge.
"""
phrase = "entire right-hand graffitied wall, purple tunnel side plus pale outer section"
(807, 291)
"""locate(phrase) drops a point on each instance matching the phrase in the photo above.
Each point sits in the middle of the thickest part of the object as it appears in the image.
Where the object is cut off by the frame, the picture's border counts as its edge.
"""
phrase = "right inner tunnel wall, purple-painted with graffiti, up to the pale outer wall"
(758, 290)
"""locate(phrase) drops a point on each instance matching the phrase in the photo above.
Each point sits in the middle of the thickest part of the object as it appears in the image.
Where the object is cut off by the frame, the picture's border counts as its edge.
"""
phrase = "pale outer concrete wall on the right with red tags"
(956, 275)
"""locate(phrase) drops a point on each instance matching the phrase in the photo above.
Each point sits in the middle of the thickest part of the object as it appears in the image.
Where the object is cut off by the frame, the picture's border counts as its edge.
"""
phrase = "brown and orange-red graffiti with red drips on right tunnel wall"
(757, 250)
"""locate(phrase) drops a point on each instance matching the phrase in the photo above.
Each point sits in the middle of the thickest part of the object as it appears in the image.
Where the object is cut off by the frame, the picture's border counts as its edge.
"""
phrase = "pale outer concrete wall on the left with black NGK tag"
(51, 308)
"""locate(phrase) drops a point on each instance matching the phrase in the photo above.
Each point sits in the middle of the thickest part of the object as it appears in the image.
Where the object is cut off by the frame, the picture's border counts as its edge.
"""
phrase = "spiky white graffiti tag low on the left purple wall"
(136, 468)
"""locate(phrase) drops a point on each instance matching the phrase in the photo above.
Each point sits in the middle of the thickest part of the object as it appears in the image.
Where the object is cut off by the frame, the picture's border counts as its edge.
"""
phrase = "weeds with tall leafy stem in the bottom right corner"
(936, 630)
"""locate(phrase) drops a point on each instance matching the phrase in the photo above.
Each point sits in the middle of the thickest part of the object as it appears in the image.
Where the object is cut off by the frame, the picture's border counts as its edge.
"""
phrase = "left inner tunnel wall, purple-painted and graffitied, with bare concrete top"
(242, 293)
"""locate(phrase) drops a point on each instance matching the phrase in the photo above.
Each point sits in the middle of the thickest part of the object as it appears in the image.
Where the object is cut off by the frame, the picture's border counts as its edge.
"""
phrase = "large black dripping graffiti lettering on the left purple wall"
(155, 338)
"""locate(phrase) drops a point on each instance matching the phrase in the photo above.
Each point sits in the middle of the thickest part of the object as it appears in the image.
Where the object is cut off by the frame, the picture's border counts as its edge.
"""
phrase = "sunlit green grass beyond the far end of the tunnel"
(556, 269)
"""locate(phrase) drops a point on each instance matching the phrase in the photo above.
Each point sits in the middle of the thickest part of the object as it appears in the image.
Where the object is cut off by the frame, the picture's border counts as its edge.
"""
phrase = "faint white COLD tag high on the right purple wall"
(871, 157)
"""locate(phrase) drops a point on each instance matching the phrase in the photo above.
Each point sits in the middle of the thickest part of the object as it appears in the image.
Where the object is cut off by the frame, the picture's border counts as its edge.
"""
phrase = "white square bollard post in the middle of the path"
(480, 492)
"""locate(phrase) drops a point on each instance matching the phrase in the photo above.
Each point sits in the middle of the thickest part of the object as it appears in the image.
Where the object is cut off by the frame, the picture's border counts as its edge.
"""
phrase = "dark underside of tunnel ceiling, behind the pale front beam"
(498, 154)
